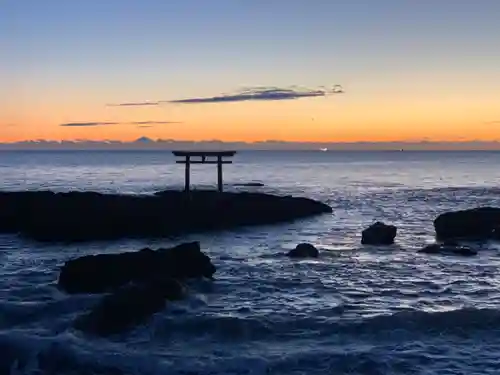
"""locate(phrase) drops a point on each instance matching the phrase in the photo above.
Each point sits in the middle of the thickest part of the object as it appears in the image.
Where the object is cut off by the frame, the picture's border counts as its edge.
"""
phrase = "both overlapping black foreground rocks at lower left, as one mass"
(139, 284)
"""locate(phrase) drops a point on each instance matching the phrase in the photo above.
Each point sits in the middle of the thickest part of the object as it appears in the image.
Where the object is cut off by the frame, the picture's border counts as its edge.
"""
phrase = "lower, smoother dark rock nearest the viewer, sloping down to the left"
(129, 306)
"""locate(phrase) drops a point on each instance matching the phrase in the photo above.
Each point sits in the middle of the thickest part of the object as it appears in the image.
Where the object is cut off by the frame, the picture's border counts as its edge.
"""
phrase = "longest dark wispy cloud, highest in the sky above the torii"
(250, 94)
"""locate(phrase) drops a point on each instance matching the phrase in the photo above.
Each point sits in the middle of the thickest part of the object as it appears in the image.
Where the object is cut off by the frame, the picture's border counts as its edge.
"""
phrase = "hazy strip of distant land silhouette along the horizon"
(145, 143)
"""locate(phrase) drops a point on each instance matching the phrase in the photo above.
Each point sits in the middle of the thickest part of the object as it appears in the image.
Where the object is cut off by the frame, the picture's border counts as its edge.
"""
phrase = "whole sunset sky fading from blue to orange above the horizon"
(411, 70)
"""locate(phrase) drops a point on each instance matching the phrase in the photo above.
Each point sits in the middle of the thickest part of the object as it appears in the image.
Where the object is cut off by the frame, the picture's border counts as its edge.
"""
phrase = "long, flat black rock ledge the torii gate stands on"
(89, 216)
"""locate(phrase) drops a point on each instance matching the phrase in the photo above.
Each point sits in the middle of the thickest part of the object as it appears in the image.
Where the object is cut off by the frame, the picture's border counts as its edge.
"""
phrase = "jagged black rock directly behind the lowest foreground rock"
(104, 272)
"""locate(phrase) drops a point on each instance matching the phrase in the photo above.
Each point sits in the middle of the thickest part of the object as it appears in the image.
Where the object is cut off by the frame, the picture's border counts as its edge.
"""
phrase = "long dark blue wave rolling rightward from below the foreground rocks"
(272, 328)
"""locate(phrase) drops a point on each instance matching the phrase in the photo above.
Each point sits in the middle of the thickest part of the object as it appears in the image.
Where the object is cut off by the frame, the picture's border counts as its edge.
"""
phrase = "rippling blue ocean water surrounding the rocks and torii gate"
(355, 310)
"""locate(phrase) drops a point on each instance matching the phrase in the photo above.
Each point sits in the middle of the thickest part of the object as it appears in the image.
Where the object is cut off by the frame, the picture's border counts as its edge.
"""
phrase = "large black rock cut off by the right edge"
(474, 224)
